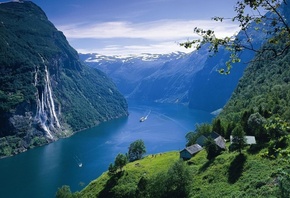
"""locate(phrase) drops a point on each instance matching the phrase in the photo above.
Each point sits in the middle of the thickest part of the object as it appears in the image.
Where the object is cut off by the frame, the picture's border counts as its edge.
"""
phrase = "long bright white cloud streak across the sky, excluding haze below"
(156, 30)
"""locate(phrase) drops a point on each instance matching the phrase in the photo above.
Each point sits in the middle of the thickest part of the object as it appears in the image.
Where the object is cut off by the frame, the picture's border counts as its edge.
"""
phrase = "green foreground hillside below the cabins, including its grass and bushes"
(163, 175)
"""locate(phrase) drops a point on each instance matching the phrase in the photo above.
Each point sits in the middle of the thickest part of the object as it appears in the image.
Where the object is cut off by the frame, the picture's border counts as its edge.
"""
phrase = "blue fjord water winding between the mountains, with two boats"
(41, 171)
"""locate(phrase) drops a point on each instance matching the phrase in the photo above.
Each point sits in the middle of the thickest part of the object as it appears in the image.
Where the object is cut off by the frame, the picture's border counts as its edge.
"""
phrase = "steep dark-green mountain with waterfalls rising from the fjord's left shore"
(46, 92)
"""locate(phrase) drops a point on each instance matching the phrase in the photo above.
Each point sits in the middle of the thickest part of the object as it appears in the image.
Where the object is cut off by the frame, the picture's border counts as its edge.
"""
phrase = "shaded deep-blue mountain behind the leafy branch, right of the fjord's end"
(210, 90)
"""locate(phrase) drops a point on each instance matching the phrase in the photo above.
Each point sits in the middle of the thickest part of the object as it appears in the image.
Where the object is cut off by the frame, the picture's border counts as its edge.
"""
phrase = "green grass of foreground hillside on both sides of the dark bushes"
(229, 175)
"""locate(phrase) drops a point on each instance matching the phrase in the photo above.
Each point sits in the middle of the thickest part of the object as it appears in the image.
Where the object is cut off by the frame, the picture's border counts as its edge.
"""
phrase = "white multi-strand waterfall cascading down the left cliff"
(46, 116)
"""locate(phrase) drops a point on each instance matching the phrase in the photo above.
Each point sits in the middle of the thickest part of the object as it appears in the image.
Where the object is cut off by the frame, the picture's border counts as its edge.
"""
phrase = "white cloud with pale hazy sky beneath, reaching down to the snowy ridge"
(151, 37)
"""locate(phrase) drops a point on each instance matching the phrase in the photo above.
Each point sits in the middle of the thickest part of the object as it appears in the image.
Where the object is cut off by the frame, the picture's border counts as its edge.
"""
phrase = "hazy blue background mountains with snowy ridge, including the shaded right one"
(191, 79)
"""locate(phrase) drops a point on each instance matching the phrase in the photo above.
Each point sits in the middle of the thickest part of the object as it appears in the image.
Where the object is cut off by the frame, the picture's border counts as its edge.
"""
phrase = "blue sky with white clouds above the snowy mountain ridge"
(122, 27)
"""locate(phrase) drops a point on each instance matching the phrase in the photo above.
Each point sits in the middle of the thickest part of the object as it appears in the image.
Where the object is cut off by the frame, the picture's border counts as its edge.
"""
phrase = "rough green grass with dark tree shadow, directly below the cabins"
(233, 175)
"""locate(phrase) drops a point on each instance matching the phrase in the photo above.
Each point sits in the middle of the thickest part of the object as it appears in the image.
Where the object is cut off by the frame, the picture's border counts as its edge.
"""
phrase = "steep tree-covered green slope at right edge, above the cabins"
(263, 89)
